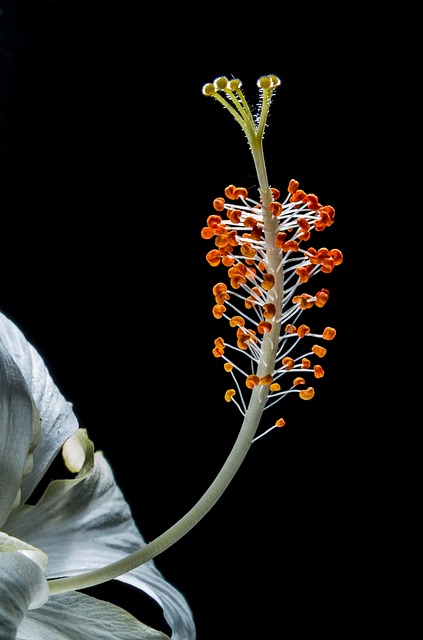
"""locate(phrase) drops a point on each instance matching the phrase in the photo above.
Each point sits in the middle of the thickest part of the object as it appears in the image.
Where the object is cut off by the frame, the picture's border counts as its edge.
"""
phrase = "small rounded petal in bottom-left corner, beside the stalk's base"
(22, 585)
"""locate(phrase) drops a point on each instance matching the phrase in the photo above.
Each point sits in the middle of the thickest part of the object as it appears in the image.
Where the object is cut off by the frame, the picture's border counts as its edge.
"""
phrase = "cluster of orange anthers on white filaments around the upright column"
(242, 246)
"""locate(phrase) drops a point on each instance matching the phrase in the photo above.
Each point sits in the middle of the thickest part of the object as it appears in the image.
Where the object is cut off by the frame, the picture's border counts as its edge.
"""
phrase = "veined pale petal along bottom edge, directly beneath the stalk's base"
(76, 616)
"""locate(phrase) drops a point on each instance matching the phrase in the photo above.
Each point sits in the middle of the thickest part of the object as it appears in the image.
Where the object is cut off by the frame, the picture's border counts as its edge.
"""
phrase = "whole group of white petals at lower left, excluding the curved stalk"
(80, 523)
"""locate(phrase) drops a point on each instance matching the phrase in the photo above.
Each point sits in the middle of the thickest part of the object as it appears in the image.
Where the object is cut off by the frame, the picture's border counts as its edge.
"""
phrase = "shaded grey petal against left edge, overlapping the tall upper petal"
(19, 429)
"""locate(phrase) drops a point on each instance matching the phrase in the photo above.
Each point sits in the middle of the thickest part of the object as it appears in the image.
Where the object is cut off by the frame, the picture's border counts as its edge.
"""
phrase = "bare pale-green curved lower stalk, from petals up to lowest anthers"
(187, 522)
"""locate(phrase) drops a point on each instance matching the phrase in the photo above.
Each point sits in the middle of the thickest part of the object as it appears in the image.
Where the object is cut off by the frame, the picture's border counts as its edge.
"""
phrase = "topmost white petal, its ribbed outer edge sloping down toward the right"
(58, 419)
